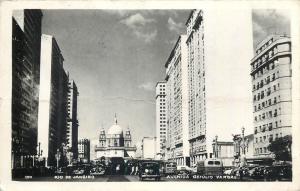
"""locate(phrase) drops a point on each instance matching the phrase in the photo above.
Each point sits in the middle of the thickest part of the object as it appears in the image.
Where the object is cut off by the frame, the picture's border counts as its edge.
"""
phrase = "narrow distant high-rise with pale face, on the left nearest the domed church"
(72, 125)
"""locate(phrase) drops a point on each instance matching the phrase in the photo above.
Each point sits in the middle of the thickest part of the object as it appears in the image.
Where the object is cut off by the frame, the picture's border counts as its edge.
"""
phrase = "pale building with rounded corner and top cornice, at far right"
(271, 74)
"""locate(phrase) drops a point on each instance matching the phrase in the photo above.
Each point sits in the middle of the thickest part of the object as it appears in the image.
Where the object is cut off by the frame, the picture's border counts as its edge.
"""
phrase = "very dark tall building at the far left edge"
(26, 45)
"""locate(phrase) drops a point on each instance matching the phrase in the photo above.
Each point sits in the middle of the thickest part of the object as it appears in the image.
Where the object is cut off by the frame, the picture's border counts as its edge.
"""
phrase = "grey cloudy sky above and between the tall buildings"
(117, 56)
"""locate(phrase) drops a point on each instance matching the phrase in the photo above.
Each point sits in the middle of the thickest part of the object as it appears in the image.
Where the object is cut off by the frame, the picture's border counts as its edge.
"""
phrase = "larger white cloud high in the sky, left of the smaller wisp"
(138, 24)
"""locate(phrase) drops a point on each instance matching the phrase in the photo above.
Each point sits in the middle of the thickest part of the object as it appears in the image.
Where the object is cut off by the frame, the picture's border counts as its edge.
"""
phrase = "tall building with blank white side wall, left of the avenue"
(53, 114)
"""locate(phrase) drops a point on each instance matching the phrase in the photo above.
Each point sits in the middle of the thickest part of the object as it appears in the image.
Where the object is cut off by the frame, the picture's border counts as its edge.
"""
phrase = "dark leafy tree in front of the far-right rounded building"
(282, 148)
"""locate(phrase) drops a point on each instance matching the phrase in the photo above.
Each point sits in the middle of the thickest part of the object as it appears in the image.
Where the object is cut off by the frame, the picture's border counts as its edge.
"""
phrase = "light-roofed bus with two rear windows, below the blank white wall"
(210, 167)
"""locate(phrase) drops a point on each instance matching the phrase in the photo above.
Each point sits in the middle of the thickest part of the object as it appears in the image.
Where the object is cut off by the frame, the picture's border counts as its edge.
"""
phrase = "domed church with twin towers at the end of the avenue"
(115, 143)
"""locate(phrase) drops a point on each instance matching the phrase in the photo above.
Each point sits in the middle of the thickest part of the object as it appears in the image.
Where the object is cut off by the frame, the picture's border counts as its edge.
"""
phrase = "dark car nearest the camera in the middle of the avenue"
(149, 170)
